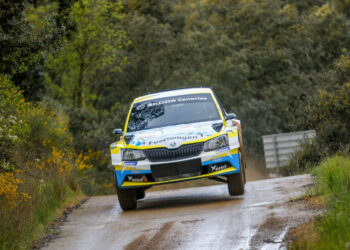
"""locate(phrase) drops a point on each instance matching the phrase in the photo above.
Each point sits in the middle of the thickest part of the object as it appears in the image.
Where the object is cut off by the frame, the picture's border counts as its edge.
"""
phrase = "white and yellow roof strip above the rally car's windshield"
(176, 92)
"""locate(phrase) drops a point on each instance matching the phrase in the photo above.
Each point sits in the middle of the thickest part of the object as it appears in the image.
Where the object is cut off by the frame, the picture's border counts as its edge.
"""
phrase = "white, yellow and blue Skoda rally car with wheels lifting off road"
(175, 136)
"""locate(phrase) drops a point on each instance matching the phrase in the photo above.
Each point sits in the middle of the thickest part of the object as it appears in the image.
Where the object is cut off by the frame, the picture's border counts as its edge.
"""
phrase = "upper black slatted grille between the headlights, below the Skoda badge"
(164, 154)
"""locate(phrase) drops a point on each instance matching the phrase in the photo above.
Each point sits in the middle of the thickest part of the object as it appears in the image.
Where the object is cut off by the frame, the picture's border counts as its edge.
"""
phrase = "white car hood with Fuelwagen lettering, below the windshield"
(173, 136)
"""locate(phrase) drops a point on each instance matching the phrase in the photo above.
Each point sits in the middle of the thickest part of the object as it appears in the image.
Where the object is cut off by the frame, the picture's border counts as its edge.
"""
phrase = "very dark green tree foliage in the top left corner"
(25, 41)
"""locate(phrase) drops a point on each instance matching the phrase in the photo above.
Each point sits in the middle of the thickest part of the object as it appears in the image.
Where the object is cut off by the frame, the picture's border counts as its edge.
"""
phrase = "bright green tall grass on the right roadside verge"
(332, 229)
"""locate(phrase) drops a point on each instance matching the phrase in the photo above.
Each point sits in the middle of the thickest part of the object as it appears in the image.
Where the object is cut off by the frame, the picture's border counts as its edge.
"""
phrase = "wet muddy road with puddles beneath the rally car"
(191, 218)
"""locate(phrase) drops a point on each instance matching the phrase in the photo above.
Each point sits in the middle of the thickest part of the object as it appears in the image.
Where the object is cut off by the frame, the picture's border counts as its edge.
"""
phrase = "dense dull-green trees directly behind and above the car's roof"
(262, 58)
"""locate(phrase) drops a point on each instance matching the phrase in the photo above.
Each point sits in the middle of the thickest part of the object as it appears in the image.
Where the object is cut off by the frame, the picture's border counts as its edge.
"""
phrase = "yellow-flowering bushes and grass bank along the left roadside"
(40, 171)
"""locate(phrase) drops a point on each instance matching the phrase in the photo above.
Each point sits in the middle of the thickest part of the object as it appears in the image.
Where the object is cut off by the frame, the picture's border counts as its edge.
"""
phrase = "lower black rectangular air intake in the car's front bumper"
(176, 170)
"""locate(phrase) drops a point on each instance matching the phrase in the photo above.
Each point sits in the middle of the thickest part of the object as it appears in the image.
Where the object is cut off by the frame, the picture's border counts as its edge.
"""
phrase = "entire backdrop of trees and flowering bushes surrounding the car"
(69, 70)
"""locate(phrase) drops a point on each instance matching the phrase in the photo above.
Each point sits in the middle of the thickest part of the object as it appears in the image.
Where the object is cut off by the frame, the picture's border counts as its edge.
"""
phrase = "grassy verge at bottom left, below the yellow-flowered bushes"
(20, 226)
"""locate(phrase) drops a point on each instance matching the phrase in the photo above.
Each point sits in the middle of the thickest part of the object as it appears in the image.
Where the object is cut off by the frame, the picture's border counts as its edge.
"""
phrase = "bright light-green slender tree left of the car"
(78, 74)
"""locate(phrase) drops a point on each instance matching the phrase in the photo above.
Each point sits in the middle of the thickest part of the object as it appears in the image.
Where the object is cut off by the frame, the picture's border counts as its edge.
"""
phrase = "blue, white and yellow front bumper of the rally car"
(142, 174)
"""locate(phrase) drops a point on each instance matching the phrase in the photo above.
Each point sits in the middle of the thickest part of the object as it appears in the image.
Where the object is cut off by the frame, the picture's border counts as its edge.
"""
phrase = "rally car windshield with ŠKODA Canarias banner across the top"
(172, 111)
